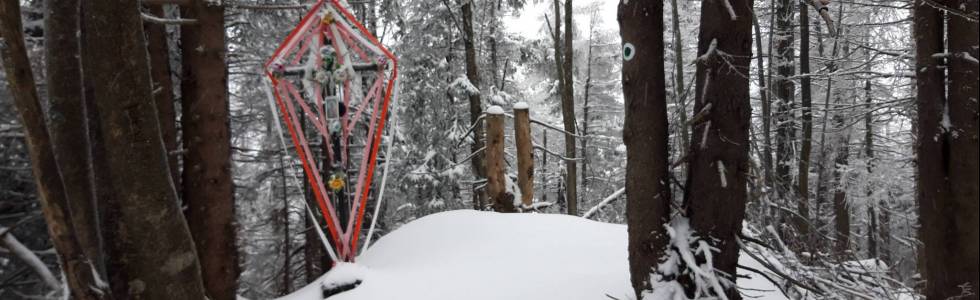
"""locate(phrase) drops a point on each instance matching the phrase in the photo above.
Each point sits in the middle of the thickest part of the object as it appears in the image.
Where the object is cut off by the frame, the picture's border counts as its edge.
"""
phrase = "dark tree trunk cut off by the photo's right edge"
(963, 174)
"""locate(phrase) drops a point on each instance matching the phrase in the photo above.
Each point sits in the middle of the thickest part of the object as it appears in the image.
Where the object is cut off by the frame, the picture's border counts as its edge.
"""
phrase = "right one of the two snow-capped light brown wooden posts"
(525, 161)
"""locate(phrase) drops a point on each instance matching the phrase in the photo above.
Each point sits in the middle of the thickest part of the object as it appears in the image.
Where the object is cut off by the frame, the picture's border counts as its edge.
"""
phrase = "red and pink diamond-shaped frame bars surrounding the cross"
(303, 39)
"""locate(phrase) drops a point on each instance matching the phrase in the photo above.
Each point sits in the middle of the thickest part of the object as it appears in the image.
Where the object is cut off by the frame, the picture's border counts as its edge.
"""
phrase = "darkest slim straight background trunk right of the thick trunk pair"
(806, 141)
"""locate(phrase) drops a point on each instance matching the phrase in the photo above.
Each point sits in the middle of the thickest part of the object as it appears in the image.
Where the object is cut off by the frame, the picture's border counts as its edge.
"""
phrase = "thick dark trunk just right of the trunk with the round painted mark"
(716, 186)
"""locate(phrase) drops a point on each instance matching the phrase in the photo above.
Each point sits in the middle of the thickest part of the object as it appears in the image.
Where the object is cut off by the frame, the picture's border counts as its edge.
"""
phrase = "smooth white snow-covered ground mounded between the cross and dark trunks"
(483, 255)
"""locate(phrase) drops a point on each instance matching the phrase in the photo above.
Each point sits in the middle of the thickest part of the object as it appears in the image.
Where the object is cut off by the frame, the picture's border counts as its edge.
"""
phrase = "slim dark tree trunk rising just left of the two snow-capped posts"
(478, 163)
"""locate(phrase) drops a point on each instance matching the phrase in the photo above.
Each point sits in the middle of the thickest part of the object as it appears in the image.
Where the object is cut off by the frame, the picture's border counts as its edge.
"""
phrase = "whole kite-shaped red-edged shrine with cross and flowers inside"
(333, 81)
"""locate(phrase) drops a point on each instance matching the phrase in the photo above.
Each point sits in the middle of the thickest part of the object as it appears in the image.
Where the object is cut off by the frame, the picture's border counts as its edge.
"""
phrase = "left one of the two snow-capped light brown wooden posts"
(500, 200)
